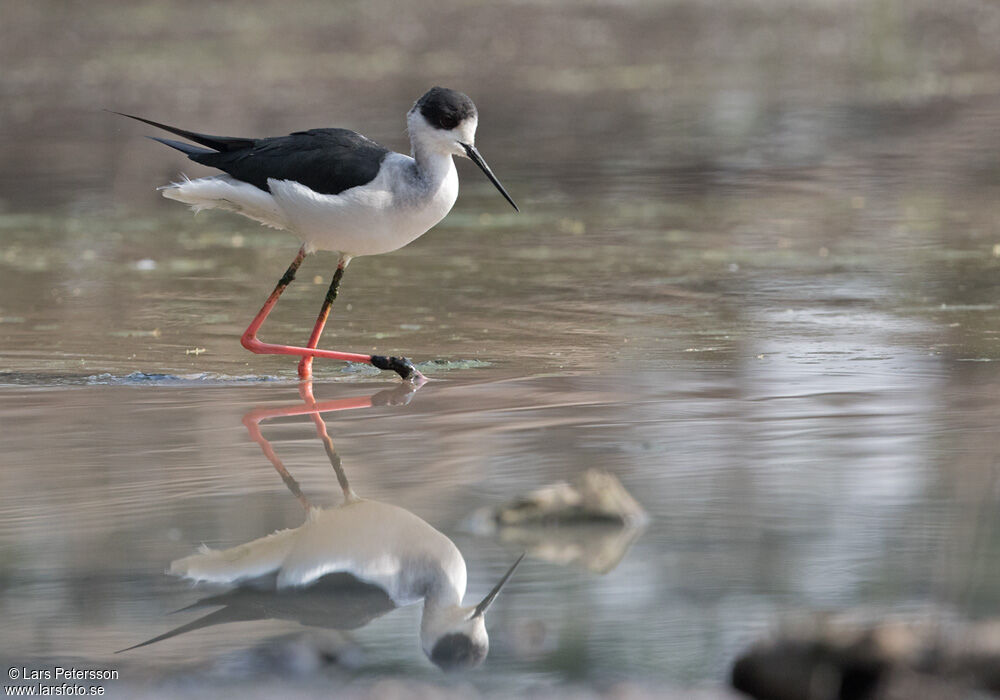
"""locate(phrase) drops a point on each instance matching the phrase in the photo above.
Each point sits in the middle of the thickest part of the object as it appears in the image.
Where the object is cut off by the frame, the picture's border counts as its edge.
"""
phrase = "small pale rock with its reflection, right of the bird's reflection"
(591, 522)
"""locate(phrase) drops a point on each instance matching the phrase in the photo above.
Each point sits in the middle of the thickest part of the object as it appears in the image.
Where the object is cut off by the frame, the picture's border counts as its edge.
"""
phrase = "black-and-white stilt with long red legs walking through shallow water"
(339, 191)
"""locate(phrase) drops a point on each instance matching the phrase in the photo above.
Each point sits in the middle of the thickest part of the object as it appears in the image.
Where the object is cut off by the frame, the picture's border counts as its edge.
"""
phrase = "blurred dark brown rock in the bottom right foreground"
(835, 660)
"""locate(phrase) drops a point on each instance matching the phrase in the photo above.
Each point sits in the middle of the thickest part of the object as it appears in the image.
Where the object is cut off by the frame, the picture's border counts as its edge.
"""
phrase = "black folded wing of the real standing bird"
(327, 161)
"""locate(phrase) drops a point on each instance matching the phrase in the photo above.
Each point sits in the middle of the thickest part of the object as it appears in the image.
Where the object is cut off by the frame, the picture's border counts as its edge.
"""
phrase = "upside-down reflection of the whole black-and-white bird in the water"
(345, 565)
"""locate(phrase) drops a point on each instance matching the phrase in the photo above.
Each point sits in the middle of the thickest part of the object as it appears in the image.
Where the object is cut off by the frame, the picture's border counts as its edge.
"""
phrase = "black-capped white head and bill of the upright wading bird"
(443, 122)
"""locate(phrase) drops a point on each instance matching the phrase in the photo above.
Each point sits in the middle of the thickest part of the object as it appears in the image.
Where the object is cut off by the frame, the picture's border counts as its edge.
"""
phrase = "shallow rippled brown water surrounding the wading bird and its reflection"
(755, 280)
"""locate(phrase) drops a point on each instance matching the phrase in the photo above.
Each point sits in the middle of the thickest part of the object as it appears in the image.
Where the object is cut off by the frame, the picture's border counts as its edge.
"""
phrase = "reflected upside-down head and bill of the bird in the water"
(454, 636)
